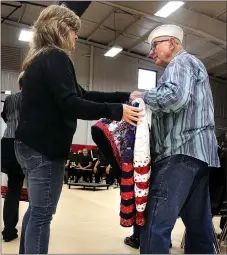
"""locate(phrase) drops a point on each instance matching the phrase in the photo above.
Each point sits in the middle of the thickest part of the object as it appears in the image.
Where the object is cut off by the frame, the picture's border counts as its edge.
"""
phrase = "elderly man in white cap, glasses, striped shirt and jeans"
(185, 143)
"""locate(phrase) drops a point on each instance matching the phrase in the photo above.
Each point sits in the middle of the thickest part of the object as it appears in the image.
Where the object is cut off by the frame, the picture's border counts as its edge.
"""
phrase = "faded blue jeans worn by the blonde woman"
(44, 183)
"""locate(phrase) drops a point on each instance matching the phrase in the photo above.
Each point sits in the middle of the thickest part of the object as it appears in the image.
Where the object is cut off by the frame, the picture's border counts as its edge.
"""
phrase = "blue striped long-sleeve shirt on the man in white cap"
(183, 111)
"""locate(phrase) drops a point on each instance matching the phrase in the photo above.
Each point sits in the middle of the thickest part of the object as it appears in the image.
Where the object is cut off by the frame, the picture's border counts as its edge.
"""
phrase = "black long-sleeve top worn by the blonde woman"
(52, 101)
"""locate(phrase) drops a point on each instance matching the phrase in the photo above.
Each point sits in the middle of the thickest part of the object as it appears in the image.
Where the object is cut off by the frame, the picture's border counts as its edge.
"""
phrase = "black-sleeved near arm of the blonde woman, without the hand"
(60, 77)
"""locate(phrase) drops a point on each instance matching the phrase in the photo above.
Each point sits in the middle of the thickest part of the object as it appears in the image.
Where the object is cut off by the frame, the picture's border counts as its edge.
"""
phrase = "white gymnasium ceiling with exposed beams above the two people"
(128, 24)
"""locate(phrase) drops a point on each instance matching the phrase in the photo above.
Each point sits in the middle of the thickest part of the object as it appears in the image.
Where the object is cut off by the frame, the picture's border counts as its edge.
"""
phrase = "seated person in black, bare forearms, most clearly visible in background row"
(85, 162)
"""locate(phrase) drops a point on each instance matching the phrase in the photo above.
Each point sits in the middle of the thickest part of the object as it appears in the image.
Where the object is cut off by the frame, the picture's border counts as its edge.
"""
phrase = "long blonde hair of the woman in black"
(52, 30)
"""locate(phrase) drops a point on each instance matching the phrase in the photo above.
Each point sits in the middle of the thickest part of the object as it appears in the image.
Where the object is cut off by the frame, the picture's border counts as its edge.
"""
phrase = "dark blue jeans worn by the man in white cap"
(179, 186)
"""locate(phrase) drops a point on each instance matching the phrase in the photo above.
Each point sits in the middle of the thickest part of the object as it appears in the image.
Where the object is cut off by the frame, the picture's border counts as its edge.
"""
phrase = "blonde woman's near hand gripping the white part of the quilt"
(132, 115)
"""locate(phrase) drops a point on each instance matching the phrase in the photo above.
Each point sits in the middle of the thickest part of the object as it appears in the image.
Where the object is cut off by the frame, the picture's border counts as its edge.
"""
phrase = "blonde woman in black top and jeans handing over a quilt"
(52, 101)
